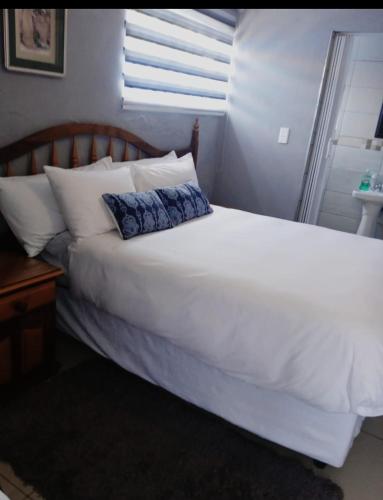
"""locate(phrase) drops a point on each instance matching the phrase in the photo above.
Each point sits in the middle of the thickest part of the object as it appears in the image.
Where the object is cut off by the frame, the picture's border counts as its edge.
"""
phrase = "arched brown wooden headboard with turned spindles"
(50, 135)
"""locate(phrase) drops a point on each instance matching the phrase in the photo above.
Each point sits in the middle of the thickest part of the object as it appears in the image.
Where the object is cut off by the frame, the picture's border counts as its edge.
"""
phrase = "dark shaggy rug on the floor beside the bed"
(98, 432)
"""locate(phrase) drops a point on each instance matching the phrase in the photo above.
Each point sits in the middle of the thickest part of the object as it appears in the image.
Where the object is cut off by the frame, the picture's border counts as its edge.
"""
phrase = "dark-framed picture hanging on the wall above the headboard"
(34, 40)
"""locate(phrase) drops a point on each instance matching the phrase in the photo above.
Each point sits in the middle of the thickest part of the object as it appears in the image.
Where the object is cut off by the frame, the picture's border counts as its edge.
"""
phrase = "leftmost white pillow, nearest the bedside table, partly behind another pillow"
(30, 208)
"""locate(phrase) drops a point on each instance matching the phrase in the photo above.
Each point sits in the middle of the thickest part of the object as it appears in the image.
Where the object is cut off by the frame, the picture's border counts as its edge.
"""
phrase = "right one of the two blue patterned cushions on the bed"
(184, 202)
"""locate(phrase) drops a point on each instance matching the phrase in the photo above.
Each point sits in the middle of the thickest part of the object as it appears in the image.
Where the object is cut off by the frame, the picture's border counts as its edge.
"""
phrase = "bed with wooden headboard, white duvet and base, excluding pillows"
(270, 324)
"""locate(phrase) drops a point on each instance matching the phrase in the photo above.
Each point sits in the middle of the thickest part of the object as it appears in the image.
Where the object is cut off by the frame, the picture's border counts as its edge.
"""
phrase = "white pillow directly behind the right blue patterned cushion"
(164, 174)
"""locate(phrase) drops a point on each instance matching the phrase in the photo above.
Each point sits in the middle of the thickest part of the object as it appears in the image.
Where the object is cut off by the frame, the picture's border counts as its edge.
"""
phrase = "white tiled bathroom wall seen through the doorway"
(355, 149)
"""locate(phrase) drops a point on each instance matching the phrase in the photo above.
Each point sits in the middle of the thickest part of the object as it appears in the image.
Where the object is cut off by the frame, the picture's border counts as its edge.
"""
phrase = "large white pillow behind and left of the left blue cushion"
(79, 197)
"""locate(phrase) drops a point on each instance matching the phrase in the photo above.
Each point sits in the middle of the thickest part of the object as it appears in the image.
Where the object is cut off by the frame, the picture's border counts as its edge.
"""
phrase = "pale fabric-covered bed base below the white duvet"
(275, 416)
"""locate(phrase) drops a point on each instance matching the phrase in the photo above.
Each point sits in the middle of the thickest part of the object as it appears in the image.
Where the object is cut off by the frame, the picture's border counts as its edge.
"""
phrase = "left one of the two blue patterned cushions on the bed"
(137, 213)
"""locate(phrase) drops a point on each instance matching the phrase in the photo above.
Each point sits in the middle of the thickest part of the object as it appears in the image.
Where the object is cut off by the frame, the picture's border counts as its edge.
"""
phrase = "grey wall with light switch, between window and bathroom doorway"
(278, 64)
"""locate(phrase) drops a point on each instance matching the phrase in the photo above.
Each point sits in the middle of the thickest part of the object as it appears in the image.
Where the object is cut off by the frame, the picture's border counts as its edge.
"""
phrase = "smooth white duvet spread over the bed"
(287, 306)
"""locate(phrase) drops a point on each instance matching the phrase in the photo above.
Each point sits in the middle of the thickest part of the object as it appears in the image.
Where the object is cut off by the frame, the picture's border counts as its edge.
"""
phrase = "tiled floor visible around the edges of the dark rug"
(361, 477)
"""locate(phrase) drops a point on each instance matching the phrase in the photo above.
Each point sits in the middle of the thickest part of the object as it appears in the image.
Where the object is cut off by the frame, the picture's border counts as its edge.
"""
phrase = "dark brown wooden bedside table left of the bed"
(27, 320)
